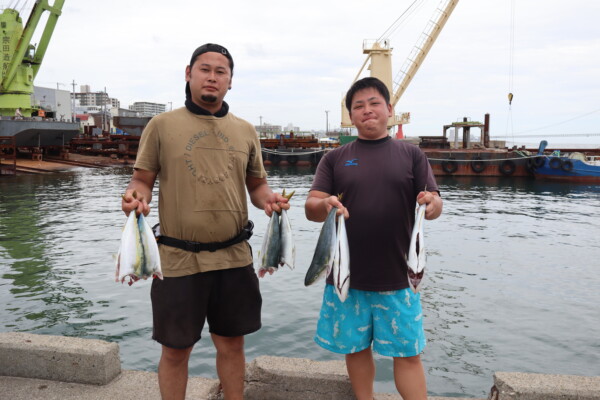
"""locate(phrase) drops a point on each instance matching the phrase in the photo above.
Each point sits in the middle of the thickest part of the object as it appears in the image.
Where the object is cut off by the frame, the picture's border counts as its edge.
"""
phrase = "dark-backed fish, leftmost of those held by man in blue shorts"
(322, 261)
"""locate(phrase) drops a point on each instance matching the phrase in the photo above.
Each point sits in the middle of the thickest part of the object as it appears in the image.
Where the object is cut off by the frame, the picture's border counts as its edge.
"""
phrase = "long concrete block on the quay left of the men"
(58, 358)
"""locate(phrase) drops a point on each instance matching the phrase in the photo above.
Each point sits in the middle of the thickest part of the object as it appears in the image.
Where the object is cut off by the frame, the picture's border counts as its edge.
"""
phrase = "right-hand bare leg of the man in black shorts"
(231, 365)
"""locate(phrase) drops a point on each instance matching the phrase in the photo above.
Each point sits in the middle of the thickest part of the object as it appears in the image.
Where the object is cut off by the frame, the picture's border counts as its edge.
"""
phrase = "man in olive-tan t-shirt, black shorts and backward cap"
(205, 159)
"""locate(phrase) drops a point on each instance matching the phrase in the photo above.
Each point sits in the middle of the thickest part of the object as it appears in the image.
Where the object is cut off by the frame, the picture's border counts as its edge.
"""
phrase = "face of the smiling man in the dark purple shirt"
(369, 113)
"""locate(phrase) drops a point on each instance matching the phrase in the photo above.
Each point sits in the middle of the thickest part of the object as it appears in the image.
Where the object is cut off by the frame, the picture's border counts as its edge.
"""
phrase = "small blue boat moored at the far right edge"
(566, 167)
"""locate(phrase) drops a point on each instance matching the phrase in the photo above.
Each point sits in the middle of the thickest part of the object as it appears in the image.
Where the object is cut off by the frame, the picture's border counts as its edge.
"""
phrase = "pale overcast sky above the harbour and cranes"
(294, 61)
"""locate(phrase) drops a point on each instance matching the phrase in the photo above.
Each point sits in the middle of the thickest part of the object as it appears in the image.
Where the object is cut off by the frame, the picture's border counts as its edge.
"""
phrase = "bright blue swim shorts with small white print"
(392, 321)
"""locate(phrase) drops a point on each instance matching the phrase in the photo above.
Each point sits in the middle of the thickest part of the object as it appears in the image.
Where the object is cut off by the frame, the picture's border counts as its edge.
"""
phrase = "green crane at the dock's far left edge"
(21, 59)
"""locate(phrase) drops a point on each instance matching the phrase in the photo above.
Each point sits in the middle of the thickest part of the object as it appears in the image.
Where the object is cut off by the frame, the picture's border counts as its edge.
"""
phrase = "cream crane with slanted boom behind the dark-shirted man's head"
(379, 53)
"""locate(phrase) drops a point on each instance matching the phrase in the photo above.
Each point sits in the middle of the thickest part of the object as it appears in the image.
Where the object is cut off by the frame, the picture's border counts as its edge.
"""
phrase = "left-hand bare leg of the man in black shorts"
(173, 372)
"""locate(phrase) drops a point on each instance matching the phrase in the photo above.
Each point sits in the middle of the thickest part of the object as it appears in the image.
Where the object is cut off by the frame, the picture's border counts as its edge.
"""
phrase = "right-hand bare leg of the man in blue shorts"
(409, 376)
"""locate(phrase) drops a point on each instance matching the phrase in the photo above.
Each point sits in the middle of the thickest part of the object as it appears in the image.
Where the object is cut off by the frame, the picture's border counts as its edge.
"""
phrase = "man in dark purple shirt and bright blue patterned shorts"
(380, 179)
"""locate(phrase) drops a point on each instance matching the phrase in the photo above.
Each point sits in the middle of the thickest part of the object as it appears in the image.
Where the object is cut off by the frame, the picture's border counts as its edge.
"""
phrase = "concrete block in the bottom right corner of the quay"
(524, 386)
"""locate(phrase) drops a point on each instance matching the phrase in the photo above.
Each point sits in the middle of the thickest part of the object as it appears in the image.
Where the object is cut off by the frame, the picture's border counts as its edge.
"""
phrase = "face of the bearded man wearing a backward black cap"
(210, 79)
